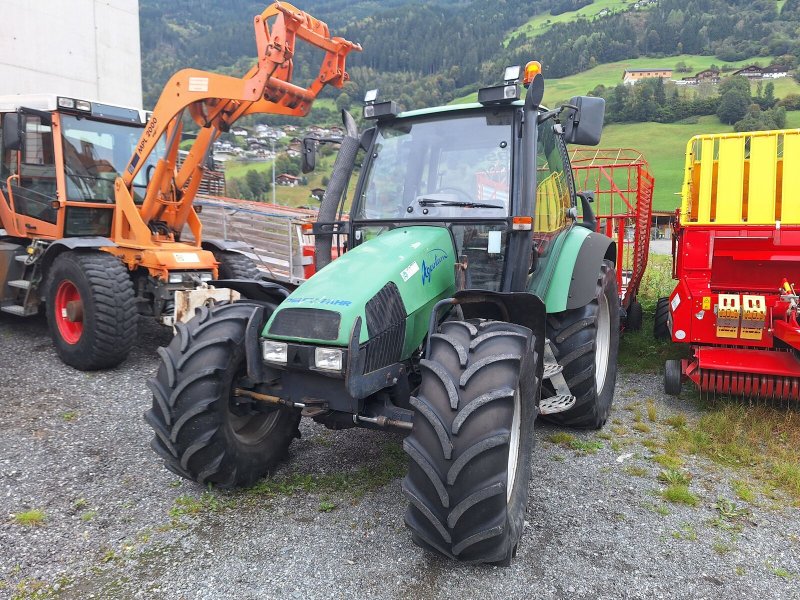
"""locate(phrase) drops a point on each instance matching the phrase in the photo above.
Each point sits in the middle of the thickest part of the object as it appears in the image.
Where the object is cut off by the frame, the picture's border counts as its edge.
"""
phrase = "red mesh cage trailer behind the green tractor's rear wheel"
(623, 204)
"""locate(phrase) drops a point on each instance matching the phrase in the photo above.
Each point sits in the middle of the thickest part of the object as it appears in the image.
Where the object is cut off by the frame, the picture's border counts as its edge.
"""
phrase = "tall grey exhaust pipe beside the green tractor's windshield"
(342, 170)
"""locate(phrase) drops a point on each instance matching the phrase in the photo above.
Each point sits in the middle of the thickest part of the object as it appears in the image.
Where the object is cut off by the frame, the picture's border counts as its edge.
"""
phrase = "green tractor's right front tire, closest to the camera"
(464, 415)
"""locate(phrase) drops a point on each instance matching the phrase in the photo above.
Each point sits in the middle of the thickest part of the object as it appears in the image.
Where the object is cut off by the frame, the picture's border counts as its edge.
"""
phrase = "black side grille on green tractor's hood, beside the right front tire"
(386, 325)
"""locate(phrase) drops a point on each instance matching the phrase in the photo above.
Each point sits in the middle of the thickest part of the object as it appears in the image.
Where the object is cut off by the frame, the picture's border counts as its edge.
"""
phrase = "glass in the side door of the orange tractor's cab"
(35, 189)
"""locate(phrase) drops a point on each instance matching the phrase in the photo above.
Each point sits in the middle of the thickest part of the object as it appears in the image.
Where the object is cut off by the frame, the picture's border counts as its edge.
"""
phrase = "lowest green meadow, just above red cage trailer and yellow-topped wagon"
(664, 147)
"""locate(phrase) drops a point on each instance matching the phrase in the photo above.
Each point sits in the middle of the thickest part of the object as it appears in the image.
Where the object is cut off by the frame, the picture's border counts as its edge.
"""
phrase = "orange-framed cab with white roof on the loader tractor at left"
(62, 152)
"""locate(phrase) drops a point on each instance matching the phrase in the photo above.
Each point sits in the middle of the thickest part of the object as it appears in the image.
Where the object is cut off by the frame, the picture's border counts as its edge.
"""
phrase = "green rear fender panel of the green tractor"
(552, 279)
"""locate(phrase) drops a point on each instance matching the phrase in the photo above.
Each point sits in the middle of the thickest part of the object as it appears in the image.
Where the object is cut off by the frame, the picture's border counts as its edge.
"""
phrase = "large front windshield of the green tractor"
(454, 168)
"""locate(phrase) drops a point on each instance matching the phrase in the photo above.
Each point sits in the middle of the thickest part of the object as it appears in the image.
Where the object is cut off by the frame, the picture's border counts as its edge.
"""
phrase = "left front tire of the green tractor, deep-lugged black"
(202, 431)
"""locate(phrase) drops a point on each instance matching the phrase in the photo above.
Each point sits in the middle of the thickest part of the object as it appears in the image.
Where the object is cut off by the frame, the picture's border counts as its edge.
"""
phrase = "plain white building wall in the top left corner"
(86, 49)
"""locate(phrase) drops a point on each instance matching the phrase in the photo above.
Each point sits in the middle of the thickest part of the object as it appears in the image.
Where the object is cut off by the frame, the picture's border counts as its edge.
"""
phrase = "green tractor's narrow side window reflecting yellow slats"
(553, 198)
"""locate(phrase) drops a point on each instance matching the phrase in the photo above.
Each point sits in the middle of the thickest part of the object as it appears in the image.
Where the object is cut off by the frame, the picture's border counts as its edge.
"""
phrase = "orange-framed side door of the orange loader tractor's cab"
(29, 172)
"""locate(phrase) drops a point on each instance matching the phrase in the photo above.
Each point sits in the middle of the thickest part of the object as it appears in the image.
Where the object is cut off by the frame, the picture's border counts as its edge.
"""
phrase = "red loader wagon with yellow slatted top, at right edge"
(736, 254)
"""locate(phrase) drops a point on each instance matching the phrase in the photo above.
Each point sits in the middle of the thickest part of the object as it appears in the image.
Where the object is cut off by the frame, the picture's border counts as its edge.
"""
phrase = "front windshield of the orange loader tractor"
(95, 153)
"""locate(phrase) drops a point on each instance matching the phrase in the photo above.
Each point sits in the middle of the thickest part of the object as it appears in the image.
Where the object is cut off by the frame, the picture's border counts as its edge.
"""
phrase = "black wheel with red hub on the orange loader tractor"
(104, 334)
